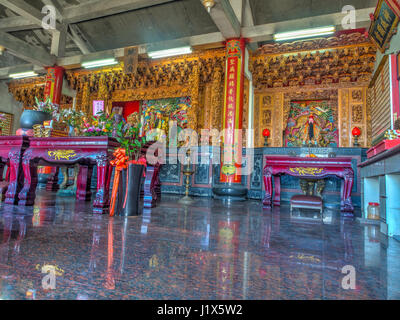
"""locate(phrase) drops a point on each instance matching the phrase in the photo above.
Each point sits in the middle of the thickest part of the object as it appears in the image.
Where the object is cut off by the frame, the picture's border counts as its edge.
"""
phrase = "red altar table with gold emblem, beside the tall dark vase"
(86, 151)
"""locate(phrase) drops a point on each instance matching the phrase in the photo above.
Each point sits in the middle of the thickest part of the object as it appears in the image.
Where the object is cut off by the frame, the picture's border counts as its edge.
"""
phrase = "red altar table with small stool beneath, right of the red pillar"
(308, 168)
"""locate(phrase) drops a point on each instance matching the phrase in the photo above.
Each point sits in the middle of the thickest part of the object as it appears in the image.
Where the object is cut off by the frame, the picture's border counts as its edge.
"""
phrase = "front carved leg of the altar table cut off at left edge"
(16, 177)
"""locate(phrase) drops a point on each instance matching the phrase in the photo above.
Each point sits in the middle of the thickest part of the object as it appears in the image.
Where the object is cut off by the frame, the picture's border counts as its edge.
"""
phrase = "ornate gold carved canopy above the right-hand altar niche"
(339, 63)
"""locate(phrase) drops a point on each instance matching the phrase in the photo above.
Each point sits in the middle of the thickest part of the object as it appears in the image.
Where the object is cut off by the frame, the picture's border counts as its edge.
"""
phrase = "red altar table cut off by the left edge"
(11, 151)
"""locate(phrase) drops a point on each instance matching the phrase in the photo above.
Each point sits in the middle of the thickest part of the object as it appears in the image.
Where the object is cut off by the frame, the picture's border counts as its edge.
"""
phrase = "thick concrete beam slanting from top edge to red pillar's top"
(225, 19)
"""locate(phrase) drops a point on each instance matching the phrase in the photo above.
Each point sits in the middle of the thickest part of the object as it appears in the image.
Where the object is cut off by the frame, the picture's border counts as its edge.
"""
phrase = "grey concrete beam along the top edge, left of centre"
(102, 8)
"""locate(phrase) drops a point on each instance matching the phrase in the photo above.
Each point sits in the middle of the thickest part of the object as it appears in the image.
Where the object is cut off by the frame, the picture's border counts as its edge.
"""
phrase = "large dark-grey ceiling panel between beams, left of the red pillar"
(172, 20)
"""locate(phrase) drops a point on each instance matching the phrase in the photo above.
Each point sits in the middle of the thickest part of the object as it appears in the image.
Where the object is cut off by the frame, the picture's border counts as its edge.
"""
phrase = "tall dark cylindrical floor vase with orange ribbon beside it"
(134, 175)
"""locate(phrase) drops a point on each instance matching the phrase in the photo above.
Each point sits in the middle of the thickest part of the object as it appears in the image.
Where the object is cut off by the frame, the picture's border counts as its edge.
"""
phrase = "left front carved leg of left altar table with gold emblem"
(28, 192)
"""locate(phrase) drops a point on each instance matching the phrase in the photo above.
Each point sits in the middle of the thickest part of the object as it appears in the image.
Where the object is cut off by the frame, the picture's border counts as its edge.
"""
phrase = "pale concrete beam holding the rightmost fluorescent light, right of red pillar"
(265, 32)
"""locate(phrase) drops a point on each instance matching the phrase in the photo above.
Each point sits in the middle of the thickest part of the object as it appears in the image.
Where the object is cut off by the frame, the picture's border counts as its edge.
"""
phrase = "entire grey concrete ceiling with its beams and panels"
(91, 26)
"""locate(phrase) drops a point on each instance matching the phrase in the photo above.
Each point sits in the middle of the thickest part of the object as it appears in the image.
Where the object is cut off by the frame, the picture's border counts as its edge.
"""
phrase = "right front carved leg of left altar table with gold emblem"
(104, 169)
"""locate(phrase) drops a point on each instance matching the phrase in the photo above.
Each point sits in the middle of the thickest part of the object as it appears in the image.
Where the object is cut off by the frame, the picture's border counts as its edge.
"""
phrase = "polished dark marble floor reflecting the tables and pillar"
(208, 250)
